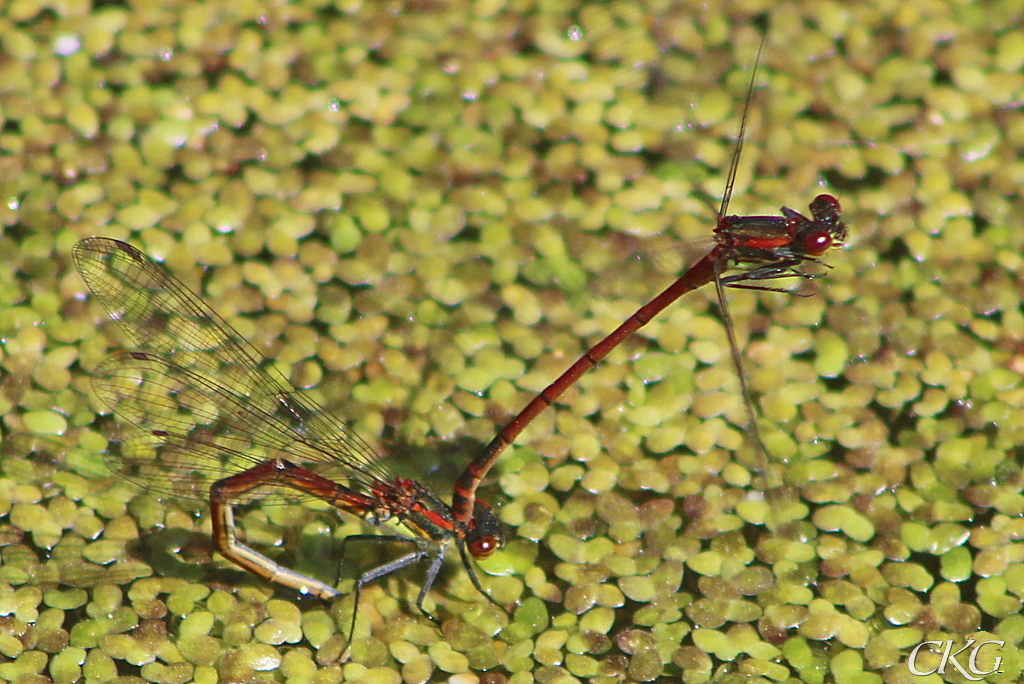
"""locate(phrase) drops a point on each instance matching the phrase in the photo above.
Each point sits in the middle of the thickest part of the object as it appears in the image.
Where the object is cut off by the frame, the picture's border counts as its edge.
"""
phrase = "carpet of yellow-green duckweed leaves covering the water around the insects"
(465, 196)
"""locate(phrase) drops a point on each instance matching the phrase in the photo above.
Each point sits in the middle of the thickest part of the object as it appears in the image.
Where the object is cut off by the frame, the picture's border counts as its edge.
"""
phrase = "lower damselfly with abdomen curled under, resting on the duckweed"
(218, 422)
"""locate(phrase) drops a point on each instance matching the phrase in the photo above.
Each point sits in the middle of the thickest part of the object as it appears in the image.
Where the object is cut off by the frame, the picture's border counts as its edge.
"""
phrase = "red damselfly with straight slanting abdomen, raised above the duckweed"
(749, 251)
